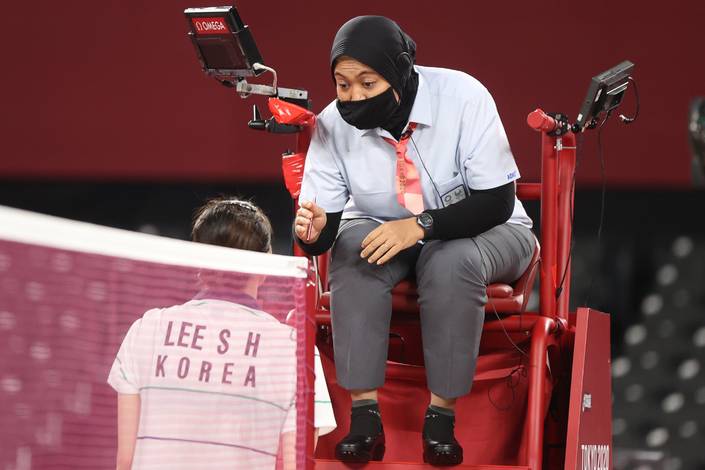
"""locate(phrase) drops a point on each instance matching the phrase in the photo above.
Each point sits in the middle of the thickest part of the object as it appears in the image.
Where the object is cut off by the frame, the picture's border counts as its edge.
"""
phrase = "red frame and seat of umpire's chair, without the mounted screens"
(541, 356)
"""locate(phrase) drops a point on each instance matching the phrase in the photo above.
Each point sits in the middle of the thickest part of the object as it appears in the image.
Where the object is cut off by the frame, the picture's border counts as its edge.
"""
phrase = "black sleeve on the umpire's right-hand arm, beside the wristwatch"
(475, 214)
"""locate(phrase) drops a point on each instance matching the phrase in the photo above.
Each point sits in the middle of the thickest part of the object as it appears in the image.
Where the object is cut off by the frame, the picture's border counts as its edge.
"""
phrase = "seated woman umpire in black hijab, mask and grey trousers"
(416, 163)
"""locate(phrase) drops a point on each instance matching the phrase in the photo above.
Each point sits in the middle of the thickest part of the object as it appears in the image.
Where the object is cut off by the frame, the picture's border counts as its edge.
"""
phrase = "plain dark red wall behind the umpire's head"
(112, 90)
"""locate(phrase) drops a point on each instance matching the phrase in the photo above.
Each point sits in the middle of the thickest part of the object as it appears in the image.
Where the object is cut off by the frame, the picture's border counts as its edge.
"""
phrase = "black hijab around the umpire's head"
(379, 42)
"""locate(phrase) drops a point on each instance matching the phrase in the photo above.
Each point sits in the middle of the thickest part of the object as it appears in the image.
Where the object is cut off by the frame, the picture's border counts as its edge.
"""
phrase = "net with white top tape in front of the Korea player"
(216, 370)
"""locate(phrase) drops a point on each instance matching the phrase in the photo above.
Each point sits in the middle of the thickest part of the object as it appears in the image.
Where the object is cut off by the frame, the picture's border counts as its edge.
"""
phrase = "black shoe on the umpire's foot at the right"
(439, 445)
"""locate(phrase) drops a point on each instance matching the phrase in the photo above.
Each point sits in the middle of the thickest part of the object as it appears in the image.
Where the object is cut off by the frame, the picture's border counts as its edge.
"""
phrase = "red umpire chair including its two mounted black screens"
(541, 398)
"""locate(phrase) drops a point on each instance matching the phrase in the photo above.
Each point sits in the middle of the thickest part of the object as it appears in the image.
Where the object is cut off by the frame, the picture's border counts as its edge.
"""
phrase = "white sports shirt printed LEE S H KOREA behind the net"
(217, 382)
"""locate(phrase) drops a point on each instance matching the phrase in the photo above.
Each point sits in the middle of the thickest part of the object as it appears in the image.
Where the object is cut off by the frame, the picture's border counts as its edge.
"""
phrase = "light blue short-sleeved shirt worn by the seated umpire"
(459, 143)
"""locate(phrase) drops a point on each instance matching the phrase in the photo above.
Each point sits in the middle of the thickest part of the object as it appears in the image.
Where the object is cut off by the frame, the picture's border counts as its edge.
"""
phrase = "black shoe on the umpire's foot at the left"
(361, 445)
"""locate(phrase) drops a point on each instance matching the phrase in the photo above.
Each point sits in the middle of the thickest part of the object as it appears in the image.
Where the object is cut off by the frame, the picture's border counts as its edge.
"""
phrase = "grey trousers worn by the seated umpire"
(451, 276)
